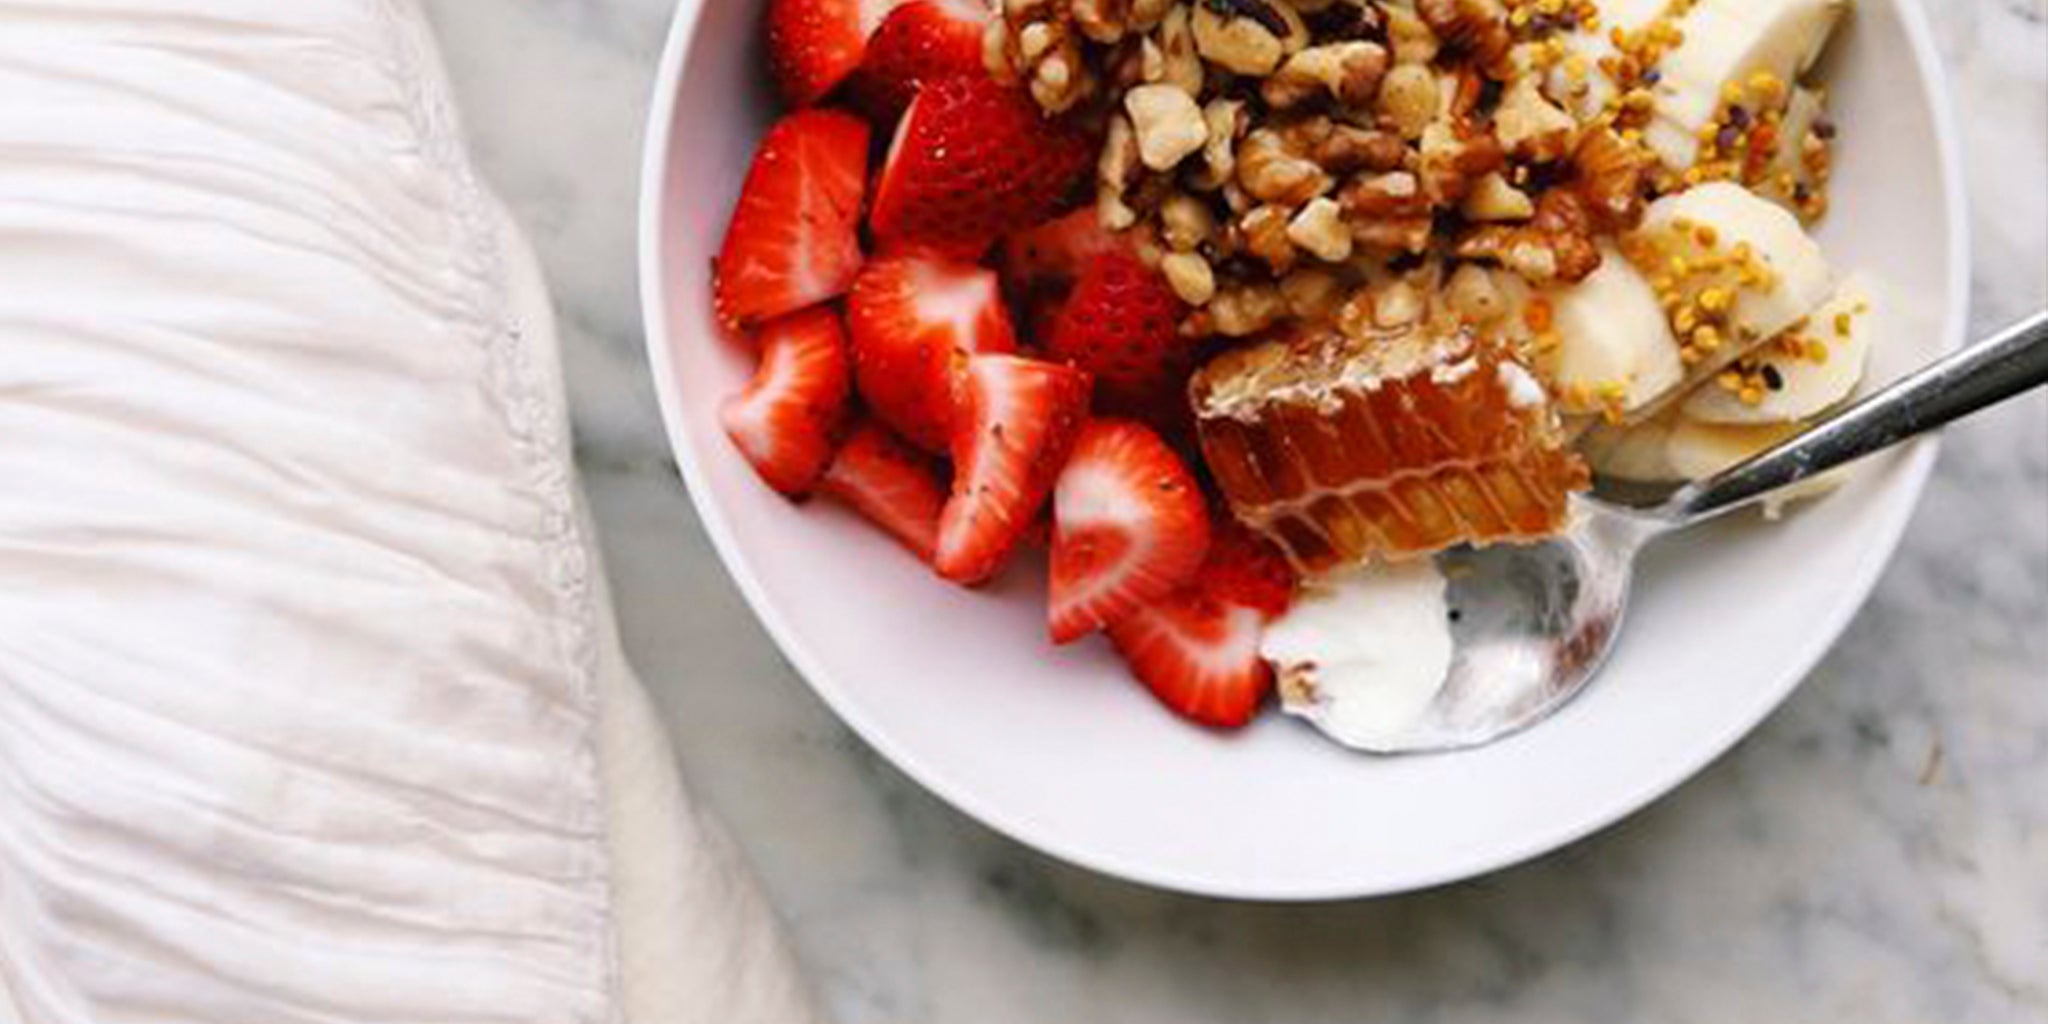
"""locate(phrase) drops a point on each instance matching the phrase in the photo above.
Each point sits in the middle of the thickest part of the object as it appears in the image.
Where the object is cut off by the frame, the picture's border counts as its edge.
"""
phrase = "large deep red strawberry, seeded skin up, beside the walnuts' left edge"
(972, 163)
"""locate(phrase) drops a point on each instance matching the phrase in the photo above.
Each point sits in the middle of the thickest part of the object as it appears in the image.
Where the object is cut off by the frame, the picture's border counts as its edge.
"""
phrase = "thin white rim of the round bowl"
(1900, 501)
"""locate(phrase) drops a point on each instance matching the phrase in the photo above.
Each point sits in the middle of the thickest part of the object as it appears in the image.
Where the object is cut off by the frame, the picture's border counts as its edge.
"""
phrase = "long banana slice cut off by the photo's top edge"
(1732, 42)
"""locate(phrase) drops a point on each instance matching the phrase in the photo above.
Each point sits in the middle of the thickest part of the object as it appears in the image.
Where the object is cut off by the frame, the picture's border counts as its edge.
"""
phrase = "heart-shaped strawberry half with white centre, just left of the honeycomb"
(1129, 527)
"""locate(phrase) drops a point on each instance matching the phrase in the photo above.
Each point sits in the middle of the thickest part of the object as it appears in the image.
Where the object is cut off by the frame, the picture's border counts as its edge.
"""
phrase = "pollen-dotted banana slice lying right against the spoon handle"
(1811, 370)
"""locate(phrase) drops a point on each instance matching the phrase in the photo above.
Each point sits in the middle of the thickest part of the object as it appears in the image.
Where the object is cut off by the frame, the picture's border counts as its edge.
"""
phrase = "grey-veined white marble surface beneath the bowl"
(1875, 853)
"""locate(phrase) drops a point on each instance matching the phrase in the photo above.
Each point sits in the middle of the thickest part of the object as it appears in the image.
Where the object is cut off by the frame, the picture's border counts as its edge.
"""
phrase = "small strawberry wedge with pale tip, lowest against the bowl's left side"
(787, 419)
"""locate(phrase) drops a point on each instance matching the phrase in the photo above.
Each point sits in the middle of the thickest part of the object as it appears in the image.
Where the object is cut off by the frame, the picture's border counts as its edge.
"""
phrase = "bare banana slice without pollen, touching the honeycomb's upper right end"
(1613, 335)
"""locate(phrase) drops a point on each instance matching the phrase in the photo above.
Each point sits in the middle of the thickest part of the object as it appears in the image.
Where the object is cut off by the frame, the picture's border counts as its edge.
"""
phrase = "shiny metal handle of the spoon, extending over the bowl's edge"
(1961, 384)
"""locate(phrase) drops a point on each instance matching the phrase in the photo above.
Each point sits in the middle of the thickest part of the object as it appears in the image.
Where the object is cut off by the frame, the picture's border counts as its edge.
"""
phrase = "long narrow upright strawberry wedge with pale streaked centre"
(1017, 423)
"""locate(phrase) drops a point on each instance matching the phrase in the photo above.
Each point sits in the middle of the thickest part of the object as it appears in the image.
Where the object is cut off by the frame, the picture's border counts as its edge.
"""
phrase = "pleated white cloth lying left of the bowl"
(310, 701)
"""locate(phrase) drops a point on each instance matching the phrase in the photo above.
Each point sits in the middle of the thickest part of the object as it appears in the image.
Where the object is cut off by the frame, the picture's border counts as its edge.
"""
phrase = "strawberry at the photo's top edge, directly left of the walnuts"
(919, 42)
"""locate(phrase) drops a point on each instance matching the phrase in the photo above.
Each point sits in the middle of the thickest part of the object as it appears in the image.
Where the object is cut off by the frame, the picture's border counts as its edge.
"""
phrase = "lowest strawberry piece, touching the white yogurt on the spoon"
(1199, 654)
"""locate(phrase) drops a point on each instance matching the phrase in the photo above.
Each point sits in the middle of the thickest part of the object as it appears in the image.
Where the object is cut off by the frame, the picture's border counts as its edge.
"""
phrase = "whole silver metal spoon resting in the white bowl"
(1535, 624)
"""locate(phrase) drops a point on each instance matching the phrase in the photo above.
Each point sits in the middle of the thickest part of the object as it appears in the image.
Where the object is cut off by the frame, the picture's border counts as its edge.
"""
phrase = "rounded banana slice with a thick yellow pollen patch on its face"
(1736, 267)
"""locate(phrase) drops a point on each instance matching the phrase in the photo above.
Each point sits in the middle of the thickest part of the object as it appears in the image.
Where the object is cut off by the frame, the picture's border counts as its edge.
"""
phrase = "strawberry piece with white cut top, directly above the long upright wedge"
(914, 323)
